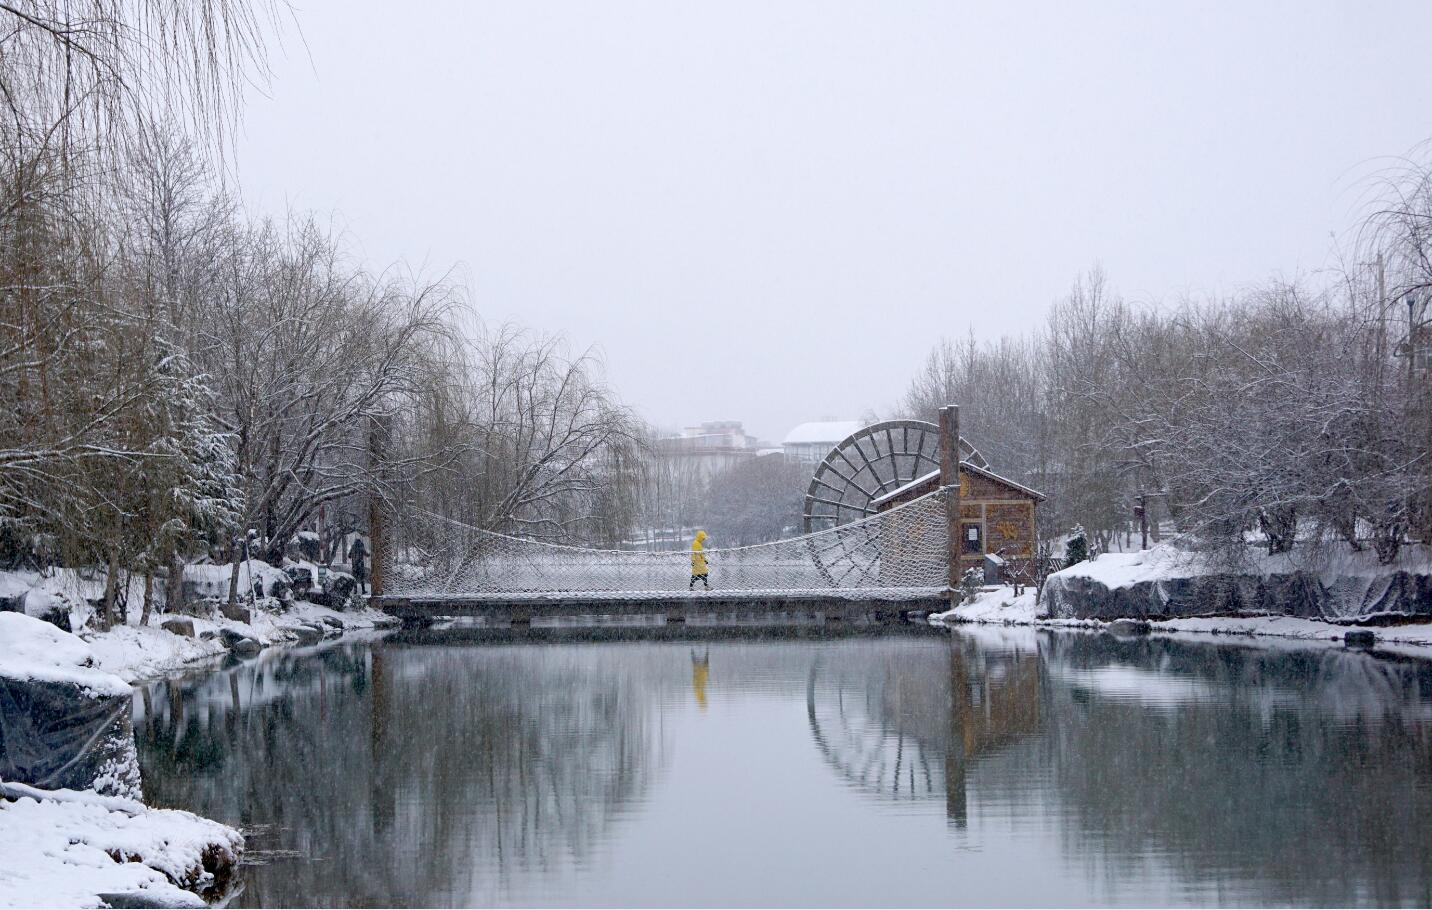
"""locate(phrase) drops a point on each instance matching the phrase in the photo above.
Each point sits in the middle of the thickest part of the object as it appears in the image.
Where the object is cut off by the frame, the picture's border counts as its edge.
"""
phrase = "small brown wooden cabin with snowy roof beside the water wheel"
(996, 514)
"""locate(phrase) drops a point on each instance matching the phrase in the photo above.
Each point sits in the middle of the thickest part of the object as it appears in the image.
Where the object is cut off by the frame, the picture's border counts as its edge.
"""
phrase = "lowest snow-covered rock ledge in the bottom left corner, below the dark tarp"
(67, 849)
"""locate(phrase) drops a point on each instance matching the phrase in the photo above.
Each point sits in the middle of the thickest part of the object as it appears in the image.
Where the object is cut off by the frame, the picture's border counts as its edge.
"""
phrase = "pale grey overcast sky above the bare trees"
(770, 211)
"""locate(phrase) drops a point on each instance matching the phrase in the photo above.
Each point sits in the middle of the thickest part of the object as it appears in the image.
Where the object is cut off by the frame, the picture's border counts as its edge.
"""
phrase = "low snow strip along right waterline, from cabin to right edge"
(1000, 607)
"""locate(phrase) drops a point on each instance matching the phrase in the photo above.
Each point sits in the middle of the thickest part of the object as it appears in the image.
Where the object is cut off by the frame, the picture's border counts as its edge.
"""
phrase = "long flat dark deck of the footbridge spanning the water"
(678, 603)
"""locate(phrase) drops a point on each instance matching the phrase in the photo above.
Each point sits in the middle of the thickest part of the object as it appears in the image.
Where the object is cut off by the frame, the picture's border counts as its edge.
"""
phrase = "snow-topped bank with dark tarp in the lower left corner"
(67, 724)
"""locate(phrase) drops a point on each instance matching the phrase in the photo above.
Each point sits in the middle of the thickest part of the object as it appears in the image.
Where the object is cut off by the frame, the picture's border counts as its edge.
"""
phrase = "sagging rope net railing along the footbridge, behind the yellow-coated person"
(893, 555)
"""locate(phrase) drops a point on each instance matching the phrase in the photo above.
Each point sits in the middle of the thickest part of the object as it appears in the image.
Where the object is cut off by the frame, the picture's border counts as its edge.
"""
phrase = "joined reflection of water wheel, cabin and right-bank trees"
(1254, 772)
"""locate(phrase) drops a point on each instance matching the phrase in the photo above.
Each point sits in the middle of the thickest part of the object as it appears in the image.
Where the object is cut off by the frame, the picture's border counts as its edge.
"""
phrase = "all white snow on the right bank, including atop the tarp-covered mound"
(1002, 607)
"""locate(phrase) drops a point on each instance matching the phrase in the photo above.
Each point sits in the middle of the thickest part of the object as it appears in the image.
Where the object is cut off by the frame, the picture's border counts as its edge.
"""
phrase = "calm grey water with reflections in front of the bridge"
(844, 767)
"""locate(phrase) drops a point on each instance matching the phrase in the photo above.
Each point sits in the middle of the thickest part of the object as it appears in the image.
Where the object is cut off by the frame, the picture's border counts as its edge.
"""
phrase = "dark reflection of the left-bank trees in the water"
(429, 759)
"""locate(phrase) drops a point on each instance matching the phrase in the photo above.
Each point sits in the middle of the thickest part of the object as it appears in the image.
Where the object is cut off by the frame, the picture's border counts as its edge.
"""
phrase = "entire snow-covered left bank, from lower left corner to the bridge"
(68, 719)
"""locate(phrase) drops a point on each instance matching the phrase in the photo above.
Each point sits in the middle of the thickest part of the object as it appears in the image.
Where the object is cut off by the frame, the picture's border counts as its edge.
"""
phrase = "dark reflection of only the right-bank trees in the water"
(1308, 770)
